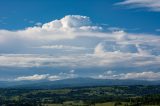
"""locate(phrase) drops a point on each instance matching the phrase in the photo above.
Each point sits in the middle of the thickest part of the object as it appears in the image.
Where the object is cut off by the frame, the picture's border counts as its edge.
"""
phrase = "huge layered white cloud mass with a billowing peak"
(74, 41)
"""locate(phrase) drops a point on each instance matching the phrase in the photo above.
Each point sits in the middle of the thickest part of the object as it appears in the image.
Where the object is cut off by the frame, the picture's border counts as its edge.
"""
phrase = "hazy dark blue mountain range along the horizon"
(74, 82)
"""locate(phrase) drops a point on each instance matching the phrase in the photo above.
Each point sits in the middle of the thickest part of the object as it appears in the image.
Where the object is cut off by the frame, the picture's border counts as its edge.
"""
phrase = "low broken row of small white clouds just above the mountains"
(146, 75)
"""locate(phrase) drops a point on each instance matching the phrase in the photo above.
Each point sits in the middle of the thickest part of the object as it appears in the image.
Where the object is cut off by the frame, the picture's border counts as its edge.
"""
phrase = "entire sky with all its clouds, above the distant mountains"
(60, 39)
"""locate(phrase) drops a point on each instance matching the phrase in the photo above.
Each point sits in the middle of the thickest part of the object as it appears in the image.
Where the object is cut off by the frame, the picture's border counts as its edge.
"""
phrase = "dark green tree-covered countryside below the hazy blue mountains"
(130, 95)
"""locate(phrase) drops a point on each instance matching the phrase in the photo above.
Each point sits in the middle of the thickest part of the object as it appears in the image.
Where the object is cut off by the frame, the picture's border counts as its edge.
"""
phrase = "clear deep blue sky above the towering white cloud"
(18, 14)
